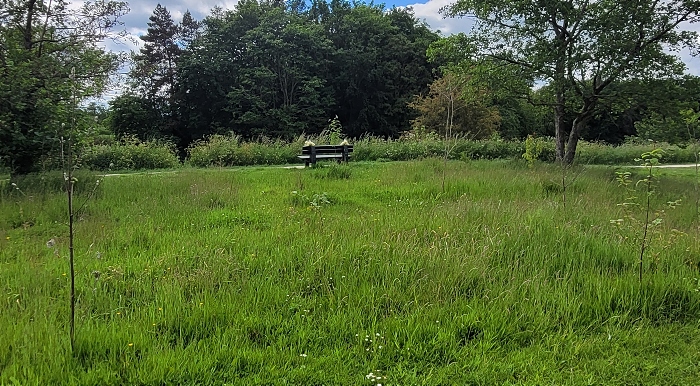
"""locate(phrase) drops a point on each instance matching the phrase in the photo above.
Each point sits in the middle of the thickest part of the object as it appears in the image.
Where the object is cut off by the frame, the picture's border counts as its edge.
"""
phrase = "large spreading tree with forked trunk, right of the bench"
(580, 48)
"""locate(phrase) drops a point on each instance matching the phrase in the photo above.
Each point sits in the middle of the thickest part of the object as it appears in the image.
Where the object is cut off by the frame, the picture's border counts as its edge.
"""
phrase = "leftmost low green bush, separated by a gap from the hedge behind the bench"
(132, 155)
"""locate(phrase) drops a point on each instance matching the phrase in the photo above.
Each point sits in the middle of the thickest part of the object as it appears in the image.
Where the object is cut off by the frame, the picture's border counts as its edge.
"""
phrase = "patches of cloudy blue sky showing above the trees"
(135, 22)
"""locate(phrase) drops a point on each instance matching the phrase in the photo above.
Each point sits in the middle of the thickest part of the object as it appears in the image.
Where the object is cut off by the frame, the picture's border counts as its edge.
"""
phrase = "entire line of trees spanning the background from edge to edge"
(569, 69)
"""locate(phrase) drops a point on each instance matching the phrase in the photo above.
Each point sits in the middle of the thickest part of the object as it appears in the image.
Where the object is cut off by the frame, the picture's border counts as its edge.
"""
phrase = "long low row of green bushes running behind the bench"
(224, 151)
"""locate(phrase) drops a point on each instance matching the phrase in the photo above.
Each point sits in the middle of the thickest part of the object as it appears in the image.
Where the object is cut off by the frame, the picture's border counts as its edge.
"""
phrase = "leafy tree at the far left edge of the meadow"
(40, 42)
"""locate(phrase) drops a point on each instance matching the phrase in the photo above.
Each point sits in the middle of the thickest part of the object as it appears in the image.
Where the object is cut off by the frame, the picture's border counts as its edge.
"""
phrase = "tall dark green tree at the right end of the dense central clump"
(378, 67)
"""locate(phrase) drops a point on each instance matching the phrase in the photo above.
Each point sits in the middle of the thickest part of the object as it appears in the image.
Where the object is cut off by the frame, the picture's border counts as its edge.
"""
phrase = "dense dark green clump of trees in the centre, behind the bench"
(277, 70)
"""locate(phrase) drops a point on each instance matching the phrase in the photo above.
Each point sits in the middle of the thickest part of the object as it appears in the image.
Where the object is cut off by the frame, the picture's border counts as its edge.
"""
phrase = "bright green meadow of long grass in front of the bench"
(362, 274)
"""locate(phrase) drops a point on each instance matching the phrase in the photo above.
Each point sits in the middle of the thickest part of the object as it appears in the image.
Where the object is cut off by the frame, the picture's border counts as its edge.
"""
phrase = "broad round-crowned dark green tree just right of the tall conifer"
(256, 70)
